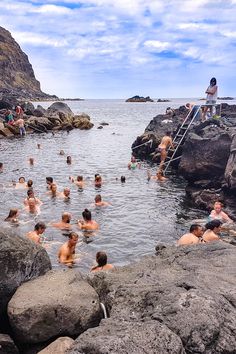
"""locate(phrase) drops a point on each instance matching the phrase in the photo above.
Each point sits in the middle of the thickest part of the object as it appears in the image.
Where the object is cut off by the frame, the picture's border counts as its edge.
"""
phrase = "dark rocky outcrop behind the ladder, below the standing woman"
(208, 155)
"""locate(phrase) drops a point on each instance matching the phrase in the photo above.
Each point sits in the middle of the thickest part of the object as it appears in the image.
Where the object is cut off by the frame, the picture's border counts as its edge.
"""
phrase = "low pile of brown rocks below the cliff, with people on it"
(58, 116)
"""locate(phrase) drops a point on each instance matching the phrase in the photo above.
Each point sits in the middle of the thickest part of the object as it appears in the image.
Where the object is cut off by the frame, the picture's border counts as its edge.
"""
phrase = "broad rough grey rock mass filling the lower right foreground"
(181, 301)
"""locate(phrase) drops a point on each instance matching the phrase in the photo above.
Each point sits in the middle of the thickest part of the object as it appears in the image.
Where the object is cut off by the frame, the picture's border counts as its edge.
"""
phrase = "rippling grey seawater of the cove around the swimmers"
(141, 214)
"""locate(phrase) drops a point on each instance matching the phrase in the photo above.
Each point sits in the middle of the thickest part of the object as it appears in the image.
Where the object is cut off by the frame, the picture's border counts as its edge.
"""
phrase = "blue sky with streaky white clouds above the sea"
(122, 48)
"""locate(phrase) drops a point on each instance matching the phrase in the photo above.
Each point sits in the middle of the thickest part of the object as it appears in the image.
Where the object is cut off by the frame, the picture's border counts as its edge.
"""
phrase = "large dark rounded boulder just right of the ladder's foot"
(205, 155)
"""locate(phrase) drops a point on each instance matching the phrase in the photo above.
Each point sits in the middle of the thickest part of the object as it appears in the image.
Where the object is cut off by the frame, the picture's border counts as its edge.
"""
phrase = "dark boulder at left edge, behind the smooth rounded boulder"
(20, 261)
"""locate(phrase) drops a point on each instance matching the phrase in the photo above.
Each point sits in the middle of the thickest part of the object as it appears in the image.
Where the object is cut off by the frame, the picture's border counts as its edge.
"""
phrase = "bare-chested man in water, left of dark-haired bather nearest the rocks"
(66, 254)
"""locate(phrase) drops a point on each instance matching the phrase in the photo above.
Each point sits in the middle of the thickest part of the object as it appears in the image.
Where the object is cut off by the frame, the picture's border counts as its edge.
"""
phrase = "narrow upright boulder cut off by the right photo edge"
(230, 171)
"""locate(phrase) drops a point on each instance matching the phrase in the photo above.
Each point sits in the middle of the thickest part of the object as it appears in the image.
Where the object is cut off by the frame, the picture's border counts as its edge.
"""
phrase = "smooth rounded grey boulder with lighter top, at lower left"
(60, 303)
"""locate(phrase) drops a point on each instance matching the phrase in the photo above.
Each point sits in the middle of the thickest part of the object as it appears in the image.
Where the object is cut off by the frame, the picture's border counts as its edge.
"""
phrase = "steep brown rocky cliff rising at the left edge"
(17, 77)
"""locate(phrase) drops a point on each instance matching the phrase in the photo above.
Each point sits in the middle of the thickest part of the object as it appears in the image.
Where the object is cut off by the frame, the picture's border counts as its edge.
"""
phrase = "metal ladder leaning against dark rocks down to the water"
(179, 137)
